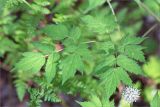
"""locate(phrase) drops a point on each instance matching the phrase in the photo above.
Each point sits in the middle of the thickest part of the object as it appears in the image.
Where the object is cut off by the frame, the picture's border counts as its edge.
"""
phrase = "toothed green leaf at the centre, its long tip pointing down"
(69, 66)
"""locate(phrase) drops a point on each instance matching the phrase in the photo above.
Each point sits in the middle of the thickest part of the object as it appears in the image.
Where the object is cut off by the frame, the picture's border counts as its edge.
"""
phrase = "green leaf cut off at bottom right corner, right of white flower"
(156, 101)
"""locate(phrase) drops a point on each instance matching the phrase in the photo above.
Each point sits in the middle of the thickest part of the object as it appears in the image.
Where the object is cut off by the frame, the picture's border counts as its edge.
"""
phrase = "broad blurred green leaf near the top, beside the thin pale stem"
(100, 23)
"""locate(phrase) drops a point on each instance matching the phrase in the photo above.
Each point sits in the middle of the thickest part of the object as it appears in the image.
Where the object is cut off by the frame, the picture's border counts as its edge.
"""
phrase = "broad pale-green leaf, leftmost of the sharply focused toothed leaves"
(31, 61)
